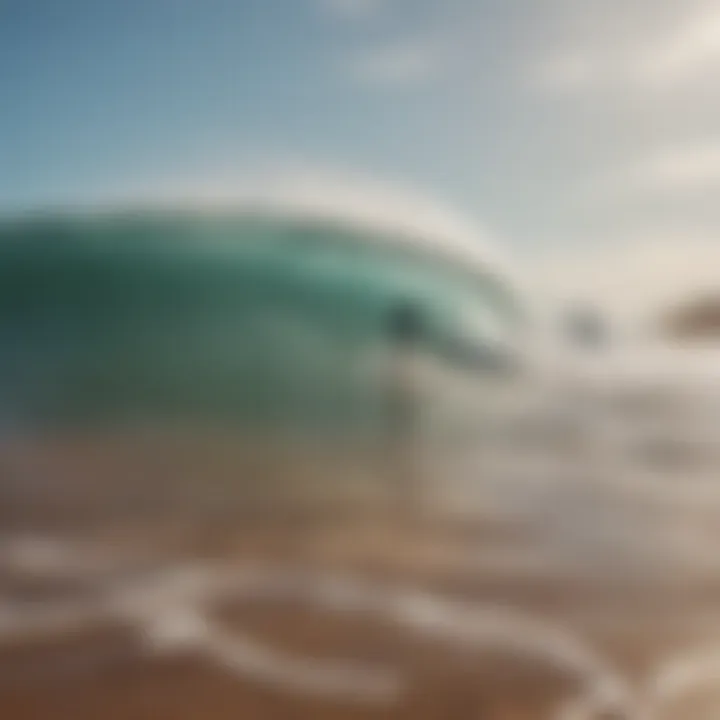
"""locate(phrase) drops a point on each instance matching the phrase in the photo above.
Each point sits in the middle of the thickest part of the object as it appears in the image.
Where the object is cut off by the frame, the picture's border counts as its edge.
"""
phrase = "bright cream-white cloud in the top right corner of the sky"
(635, 51)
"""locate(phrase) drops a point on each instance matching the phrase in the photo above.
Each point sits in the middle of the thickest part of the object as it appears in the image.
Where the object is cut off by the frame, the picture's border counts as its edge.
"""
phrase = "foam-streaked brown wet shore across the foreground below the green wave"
(211, 580)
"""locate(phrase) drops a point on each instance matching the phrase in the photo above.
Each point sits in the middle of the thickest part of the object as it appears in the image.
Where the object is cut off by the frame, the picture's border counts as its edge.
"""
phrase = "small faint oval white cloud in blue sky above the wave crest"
(403, 63)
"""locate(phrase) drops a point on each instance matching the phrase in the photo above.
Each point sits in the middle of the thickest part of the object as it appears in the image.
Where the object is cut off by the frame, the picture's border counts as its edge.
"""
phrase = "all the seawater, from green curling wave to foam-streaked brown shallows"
(167, 417)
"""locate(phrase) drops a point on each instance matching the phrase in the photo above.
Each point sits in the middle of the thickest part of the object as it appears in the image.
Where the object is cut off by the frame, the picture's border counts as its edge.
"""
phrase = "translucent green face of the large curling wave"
(266, 320)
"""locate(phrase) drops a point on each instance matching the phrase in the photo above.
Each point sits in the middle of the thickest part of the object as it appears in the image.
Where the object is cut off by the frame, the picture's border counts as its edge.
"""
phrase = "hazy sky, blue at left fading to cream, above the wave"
(583, 135)
